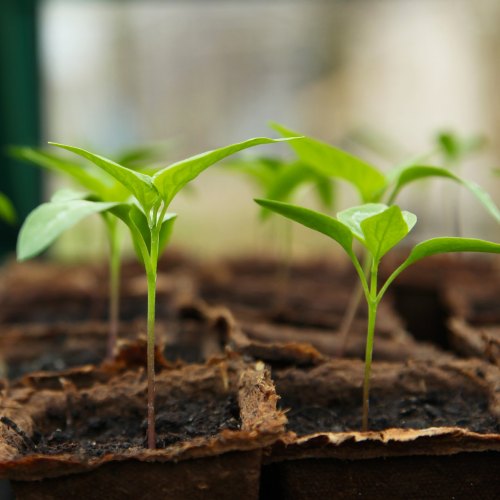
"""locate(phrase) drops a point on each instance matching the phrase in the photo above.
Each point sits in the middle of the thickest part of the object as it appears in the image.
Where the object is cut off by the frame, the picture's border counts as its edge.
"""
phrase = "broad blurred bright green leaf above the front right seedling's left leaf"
(333, 162)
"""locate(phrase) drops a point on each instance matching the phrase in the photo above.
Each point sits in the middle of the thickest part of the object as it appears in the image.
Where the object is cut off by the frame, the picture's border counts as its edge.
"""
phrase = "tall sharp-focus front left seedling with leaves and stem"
(148, 221)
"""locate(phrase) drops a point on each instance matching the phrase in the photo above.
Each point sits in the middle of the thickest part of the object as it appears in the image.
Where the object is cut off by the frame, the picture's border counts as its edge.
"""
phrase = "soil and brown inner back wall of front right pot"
(329, 399)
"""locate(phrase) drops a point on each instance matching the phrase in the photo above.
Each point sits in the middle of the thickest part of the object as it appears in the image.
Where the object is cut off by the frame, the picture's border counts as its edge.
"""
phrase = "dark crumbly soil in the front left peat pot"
(177, 420)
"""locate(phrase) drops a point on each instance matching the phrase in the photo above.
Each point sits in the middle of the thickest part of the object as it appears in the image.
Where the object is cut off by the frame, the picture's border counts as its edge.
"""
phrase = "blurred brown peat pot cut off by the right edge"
(474, 325)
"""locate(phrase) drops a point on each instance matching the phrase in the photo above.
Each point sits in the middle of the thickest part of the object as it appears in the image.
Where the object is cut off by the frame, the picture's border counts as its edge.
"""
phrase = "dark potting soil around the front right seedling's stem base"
(434, 409)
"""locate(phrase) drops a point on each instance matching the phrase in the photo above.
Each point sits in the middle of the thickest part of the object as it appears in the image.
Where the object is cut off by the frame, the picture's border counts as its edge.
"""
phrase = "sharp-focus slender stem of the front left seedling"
(151, 277)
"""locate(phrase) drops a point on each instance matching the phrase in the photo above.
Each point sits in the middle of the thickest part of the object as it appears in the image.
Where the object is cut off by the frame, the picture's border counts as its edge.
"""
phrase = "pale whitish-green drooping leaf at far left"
(48, 221)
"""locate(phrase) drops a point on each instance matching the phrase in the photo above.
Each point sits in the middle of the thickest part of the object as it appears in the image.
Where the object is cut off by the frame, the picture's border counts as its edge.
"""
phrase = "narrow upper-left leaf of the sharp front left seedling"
(139, 185)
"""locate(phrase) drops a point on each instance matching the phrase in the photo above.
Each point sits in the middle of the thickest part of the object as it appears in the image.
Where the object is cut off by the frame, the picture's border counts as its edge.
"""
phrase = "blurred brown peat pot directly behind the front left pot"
(190, 334)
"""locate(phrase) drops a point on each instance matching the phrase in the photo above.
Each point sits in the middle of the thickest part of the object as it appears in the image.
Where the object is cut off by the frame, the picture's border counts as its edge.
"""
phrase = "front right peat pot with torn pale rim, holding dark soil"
(435, 432)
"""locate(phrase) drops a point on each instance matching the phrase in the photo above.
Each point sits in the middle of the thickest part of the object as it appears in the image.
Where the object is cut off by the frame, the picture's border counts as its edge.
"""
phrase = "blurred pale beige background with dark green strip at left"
(380, 78)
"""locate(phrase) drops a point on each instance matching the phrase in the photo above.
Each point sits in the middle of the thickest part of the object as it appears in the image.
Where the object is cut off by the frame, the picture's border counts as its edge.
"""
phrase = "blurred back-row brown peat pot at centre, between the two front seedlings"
(315, 295)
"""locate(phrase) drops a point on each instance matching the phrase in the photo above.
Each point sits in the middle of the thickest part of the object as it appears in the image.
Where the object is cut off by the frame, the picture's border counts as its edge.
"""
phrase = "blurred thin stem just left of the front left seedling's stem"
(114, 286)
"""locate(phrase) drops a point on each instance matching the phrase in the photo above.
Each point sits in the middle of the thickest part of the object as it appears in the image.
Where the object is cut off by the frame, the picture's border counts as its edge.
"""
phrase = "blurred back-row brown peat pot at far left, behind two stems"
(44, 292)
